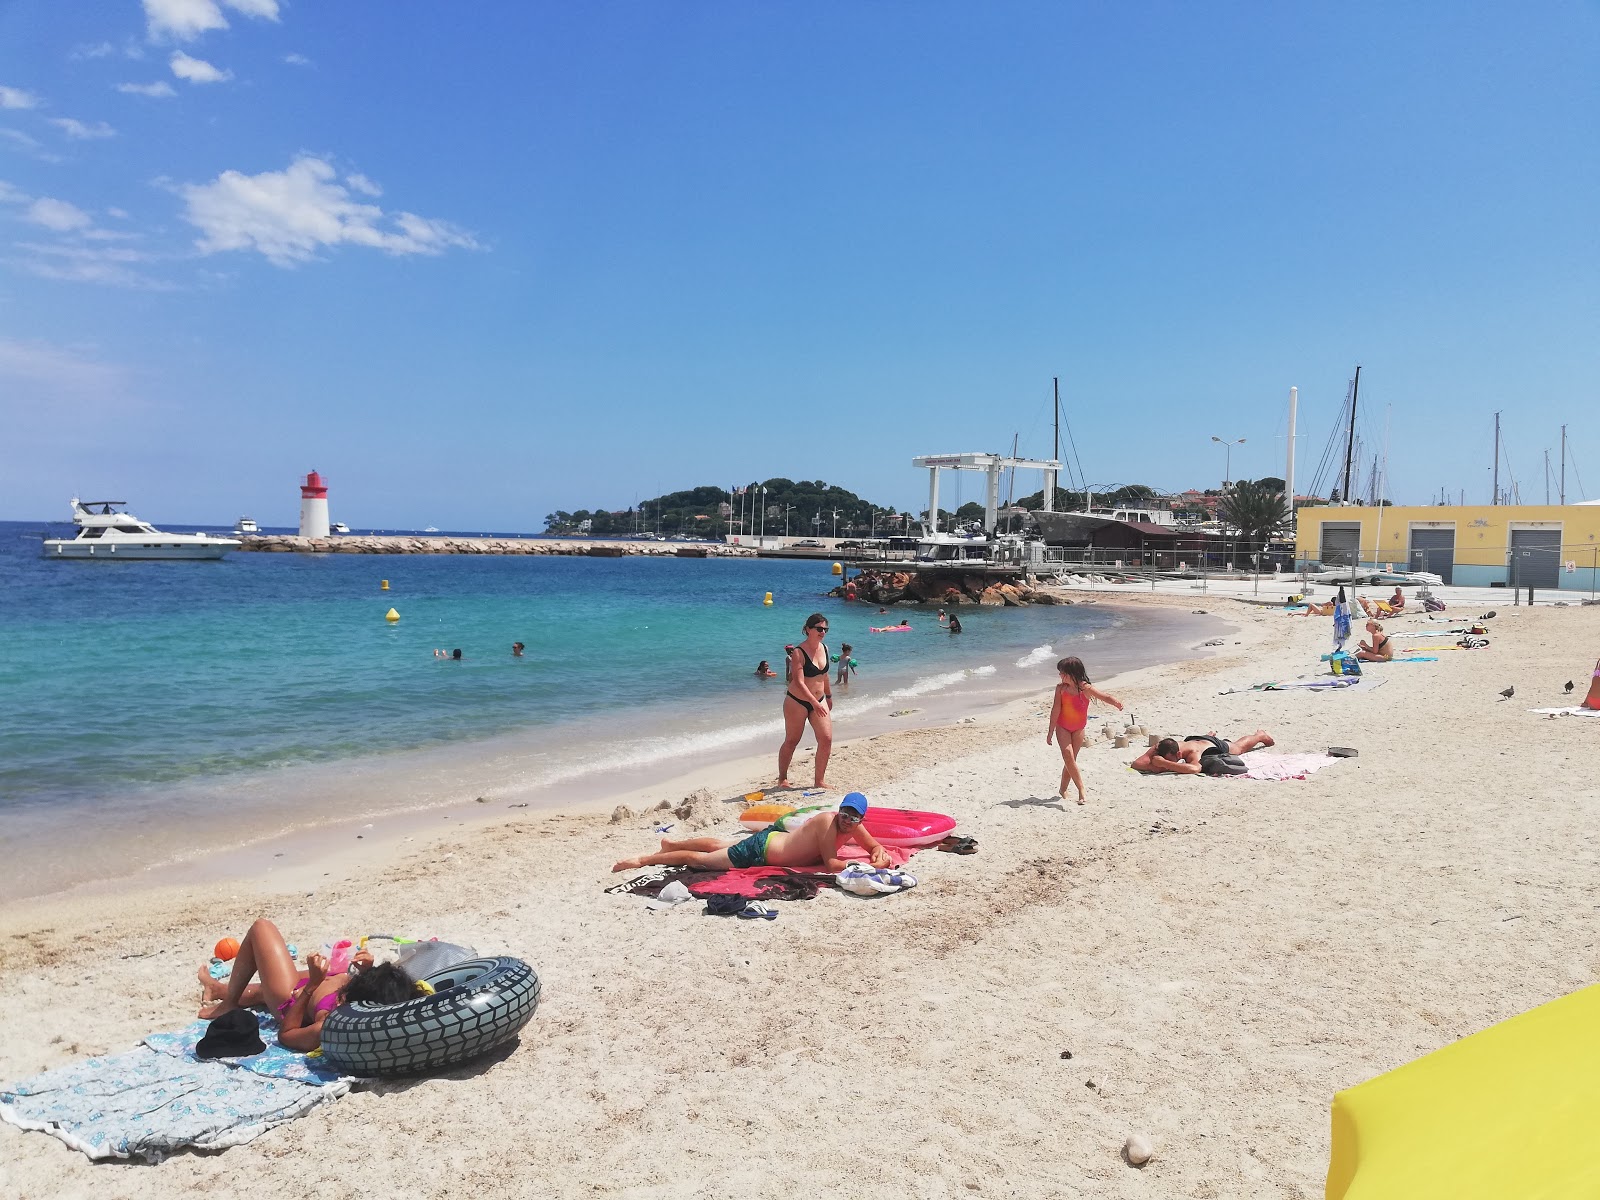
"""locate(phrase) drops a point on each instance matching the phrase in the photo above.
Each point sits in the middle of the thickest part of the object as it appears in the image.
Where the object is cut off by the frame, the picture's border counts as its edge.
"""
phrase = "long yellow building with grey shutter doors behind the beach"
(1540, 546)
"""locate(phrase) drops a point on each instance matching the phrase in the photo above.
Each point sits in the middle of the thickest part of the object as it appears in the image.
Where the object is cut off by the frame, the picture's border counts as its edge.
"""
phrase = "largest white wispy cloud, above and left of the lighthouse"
(290, 215)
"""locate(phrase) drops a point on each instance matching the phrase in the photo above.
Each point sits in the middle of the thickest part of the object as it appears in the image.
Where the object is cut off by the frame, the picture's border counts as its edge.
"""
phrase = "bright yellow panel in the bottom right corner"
(1508, 1113)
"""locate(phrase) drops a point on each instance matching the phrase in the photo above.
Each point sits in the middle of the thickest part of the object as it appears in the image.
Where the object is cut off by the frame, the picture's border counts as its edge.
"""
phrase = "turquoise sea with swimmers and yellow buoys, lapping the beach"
(156, 711)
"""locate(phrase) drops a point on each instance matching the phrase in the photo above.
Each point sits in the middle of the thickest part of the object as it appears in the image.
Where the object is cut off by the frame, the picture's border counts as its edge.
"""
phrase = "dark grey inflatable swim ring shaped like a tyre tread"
(476, 1006)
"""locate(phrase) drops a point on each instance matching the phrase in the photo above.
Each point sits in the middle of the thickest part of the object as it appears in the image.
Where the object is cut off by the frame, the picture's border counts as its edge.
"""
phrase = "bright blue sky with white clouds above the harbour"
(481, 263)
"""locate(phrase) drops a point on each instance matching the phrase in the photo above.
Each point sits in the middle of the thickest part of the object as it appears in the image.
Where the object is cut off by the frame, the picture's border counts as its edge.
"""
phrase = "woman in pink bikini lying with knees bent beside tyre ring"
(300, 1002)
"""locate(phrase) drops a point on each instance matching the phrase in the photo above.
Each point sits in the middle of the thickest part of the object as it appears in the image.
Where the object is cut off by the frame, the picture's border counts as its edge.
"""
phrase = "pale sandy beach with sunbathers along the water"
(1199, 961)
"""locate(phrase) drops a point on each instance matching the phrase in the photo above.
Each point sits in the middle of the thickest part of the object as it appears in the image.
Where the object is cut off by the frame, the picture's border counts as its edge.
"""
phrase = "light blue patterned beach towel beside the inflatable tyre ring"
(159, 1098)
